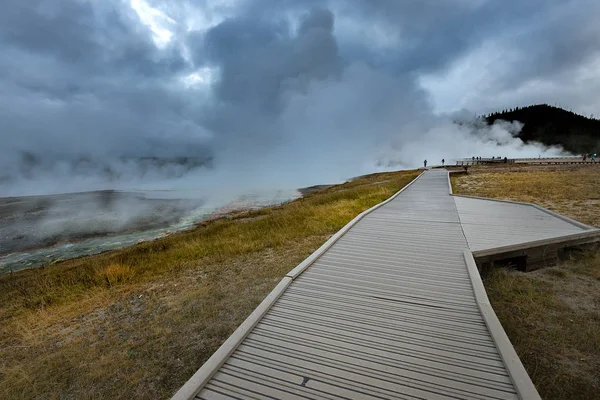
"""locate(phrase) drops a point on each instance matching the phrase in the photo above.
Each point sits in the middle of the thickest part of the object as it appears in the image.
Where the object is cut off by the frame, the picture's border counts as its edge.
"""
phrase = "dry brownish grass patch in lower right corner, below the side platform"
(552, 317)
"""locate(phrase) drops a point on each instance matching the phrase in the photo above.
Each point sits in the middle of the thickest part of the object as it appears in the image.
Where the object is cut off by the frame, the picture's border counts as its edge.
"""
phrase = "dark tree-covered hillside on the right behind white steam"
(554, 126)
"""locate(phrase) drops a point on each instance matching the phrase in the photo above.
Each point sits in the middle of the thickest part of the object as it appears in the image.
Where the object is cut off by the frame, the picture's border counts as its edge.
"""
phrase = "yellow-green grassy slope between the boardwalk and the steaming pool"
(138, 322)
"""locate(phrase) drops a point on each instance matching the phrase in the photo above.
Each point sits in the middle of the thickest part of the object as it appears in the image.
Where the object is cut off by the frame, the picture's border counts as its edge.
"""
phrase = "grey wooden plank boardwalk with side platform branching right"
(391, 307)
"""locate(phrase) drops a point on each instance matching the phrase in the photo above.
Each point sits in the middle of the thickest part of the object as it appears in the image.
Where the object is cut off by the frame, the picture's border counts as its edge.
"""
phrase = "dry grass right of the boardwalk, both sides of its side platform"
(552, 316)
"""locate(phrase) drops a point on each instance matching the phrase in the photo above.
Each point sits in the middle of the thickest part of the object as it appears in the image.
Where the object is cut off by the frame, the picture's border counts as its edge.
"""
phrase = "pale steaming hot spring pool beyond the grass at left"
(42, 230)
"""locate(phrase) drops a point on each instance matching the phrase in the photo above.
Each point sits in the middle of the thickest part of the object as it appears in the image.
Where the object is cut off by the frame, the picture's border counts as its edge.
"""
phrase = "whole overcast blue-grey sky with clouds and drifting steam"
(275, 89)
